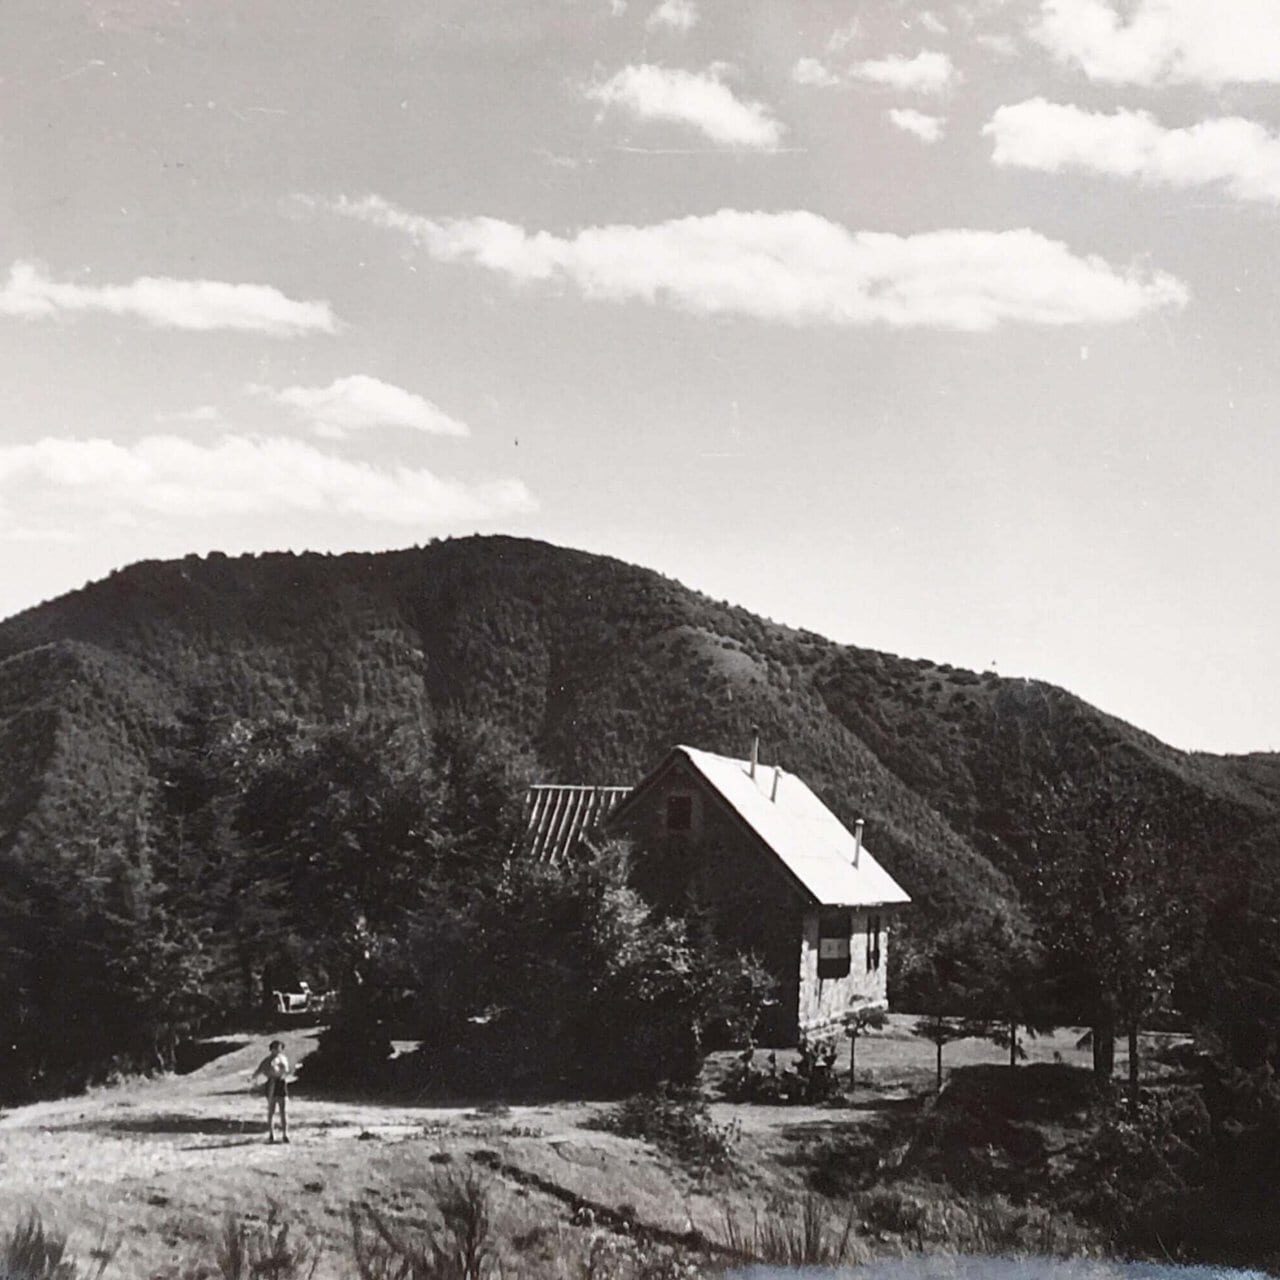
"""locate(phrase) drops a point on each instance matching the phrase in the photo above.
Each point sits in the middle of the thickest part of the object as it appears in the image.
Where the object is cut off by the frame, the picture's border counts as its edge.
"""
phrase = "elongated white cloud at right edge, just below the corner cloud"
(1238, 154)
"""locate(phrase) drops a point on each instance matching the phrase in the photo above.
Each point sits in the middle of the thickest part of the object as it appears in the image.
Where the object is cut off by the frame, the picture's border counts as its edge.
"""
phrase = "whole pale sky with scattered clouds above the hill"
(948, 330)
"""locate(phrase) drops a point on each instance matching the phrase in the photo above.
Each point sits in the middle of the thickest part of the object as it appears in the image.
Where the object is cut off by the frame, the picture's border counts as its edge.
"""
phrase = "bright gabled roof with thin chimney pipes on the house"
(802, 833)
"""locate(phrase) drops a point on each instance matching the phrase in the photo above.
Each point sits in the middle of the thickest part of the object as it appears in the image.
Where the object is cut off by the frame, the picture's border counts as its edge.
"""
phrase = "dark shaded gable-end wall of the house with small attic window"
(749, 900)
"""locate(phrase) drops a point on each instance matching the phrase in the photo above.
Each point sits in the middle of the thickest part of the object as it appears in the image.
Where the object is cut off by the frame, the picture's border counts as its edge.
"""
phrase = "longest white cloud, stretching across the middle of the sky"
(799, 268)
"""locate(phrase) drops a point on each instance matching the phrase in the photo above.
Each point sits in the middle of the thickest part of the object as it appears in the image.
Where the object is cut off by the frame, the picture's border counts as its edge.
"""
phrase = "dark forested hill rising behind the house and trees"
(592, 666)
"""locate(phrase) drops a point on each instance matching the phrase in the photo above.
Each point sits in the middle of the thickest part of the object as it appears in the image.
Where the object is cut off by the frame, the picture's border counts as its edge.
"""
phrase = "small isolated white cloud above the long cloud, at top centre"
(698, 99)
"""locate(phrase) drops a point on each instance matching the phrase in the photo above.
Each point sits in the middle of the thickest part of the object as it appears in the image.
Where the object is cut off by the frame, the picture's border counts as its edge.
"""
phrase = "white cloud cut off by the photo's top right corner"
(1165, 42)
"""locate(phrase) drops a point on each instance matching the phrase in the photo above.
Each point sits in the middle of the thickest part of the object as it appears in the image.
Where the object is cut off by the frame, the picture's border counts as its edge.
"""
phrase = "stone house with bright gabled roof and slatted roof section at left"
(753, 852)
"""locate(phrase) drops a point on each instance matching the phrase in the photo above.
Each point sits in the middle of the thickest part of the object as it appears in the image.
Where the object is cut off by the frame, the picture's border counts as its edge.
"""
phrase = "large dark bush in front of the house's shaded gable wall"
(577, 985)
